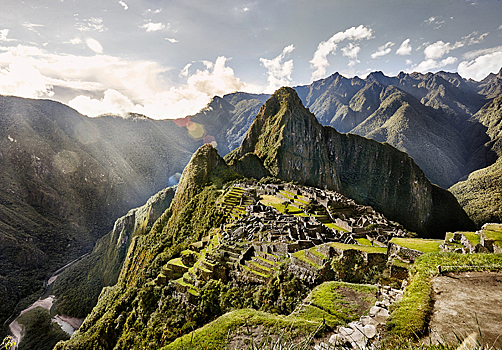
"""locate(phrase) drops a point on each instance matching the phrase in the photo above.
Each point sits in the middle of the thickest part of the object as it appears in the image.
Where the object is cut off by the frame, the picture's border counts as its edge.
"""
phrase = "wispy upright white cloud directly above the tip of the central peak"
(279, 72)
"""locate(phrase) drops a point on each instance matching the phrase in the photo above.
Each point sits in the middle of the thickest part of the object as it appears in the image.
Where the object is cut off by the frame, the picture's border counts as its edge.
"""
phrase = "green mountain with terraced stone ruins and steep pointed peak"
(207, 255)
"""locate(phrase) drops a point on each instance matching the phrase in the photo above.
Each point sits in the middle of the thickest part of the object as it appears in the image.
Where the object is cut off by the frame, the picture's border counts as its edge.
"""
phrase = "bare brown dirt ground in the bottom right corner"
(465, 303)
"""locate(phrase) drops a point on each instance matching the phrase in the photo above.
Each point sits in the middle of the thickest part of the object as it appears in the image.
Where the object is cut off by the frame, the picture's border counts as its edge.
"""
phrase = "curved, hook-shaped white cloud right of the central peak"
(320, 62)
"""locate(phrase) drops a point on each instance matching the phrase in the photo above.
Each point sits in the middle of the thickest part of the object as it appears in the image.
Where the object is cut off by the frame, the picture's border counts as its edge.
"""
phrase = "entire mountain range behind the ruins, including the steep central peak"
(65, 177)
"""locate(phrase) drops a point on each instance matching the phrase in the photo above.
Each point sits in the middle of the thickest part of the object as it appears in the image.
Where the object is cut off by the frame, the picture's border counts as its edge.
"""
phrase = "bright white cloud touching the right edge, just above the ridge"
(480, 67)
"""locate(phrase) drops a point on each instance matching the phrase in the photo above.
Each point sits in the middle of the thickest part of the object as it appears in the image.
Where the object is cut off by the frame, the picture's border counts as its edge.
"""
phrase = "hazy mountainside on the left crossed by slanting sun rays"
(65, 178)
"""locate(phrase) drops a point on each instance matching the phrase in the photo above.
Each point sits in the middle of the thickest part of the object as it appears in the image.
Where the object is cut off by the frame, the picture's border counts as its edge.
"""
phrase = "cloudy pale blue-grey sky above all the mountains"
(167, 59)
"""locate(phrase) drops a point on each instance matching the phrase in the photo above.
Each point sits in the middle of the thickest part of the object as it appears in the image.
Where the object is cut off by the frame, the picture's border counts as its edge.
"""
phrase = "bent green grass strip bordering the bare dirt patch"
(408, 318)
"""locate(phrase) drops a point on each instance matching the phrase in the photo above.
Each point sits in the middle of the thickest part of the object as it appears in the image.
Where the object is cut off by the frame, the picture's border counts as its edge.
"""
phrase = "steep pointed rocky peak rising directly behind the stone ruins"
(293, 146)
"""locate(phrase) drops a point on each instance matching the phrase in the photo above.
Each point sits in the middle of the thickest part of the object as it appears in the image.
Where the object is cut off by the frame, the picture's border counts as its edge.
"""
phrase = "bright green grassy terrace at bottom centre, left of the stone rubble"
(328, 302)
